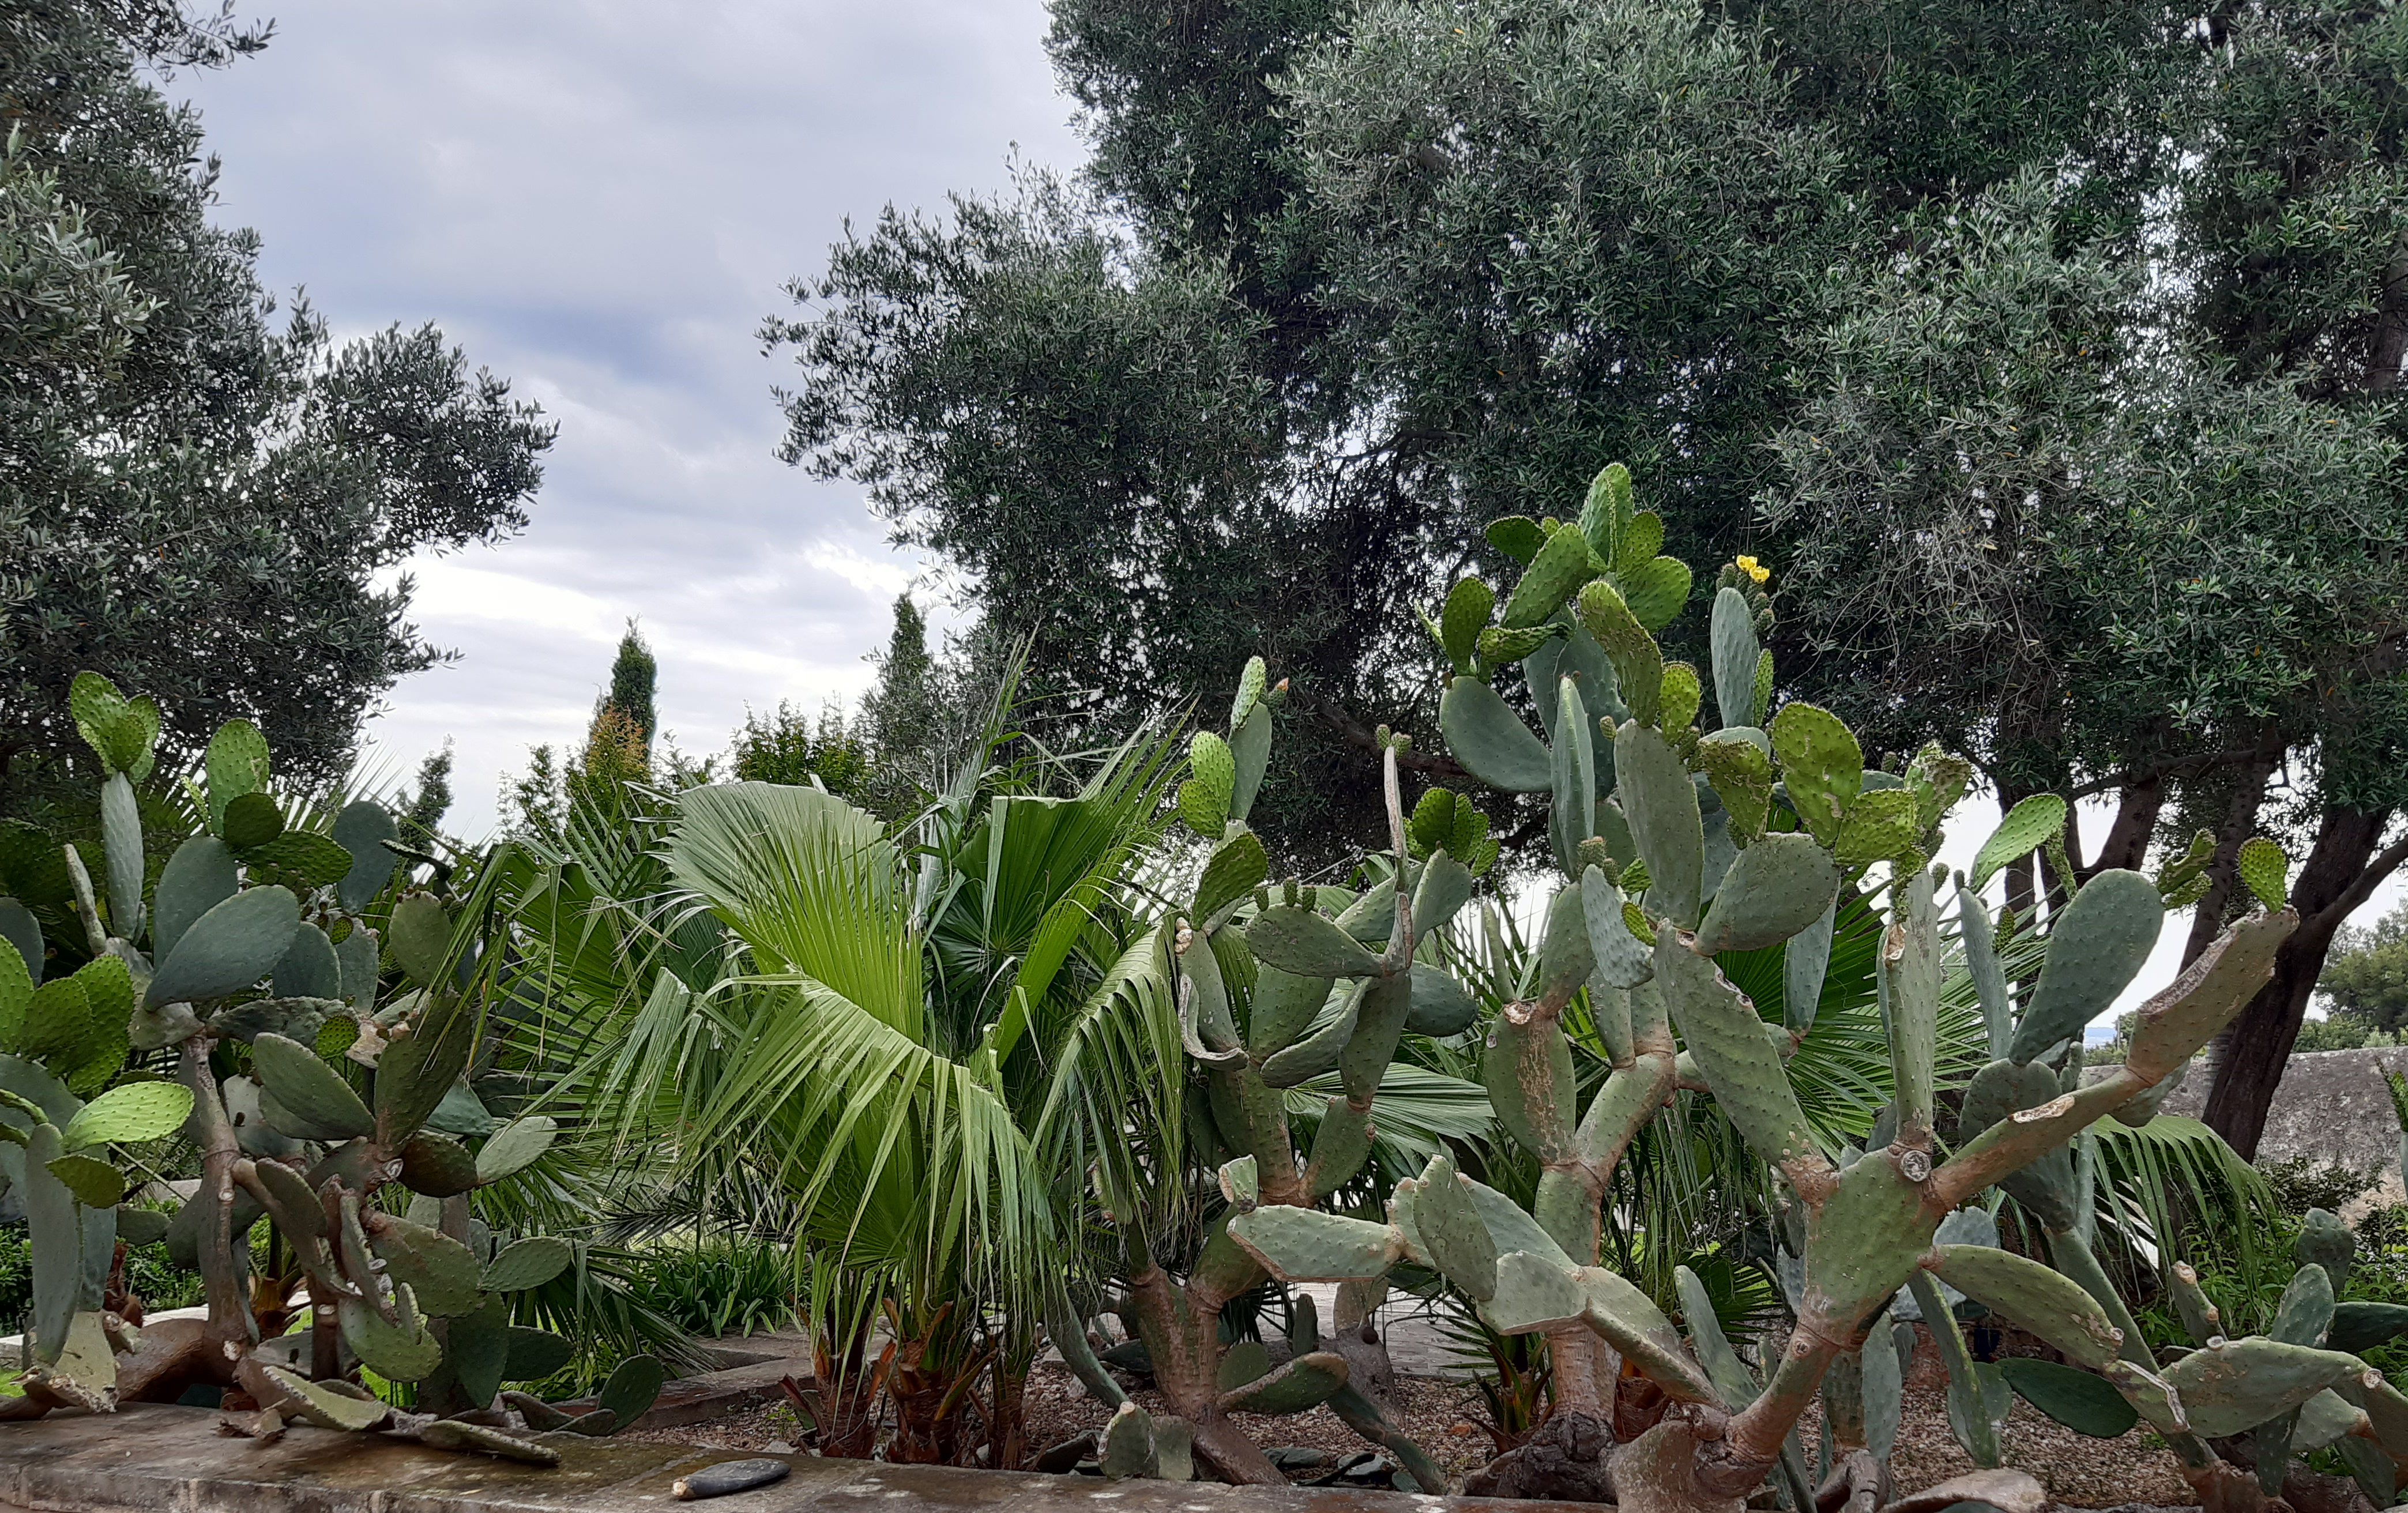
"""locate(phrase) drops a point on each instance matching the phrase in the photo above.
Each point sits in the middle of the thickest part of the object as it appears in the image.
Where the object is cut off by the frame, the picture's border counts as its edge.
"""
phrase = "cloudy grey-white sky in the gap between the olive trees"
(601, 201)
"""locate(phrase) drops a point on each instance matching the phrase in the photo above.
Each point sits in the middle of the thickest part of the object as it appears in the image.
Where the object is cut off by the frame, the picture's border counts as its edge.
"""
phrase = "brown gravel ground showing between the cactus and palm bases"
(2082, 1473)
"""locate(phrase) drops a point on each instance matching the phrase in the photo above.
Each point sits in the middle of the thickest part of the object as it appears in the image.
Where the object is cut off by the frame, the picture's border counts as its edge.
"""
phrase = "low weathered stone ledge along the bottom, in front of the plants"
(158, 1459)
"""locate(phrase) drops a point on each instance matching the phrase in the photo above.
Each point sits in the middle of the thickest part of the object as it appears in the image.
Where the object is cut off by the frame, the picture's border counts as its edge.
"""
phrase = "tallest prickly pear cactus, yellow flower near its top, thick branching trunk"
(1680, 844)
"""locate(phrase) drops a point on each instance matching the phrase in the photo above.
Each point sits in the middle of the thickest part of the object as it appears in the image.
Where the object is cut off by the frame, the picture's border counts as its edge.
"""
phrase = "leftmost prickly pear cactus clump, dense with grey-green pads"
(256, 948)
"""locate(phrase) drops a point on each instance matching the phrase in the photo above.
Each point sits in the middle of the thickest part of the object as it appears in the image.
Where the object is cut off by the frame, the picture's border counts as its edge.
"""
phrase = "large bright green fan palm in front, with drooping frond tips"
(880, 1047)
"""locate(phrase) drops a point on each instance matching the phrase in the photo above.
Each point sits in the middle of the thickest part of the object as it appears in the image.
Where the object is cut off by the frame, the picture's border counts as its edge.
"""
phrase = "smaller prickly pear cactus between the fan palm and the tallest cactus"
(1275, 991)
